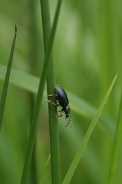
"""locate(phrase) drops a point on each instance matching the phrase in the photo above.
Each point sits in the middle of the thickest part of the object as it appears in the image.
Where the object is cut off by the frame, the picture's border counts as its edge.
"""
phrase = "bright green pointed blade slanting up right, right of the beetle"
(84, 143)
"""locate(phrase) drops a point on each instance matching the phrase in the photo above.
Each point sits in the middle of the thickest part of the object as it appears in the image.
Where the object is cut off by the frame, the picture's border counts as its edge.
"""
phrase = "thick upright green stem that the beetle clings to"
(53, 124)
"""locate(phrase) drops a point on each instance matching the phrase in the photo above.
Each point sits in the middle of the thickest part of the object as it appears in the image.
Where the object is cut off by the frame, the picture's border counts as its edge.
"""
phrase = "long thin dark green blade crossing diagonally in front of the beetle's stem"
(37, 108)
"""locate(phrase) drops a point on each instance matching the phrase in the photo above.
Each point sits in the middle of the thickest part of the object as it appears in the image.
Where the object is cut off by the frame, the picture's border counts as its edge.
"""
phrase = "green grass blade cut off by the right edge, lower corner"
(116, 147)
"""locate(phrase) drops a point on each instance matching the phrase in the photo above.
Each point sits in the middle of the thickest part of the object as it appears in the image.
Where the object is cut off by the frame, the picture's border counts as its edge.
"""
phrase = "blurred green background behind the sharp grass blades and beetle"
(87, 55)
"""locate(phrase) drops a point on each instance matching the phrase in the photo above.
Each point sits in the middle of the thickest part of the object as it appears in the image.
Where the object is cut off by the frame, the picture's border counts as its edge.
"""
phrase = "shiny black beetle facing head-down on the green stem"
(62, 100)
